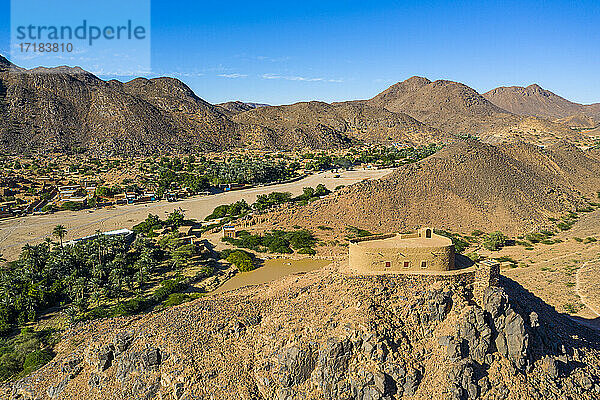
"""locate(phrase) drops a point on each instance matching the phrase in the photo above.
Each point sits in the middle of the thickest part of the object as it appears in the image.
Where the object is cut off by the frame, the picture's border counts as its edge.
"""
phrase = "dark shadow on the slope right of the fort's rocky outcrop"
(576, 331)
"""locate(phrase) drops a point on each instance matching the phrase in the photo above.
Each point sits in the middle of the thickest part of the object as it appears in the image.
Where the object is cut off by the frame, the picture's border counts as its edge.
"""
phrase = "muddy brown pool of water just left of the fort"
(270, 271)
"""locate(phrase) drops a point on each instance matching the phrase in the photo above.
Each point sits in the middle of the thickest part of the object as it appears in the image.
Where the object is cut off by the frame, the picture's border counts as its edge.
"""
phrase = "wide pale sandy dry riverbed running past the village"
(15, 233)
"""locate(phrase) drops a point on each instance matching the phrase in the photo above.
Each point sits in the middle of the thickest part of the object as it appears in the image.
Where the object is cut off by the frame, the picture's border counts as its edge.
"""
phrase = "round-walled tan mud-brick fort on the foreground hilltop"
(422, 251)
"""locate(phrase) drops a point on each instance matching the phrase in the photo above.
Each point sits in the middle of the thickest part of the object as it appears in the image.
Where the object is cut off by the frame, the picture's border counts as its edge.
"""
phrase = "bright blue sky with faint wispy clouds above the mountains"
(287, 51)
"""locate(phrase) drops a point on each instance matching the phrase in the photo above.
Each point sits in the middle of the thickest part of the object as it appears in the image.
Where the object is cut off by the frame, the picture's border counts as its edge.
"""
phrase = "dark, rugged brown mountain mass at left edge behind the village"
(64, 109)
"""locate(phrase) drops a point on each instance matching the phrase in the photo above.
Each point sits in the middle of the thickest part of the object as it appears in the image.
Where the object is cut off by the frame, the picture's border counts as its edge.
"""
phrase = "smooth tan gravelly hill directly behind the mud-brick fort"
(510, 187)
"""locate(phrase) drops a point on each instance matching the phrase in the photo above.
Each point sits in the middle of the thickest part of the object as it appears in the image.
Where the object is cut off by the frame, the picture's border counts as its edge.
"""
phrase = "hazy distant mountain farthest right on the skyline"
(536, 101)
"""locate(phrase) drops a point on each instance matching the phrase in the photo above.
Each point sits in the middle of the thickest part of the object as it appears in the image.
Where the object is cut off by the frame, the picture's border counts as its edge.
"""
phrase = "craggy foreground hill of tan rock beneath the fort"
(325, 335)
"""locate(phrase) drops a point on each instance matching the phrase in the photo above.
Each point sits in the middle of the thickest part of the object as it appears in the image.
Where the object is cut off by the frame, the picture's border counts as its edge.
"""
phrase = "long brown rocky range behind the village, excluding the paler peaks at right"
(67, 109)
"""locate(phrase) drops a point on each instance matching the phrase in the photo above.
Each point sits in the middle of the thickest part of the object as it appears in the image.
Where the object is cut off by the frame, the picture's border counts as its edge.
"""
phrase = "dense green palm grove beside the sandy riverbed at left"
(99, 277)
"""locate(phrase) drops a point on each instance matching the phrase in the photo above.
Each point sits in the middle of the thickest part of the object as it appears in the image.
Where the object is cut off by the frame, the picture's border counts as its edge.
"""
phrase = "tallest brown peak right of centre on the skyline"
(449, 106)
